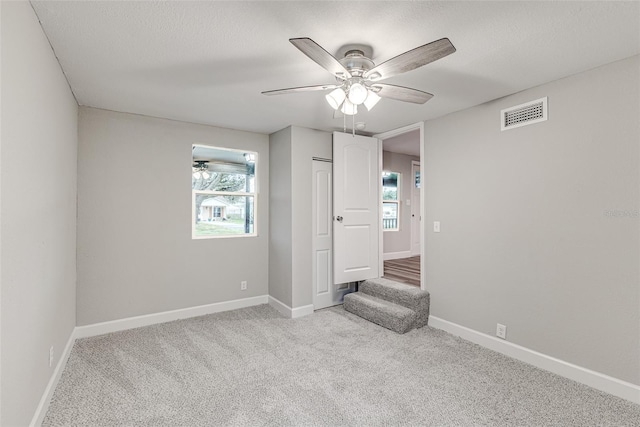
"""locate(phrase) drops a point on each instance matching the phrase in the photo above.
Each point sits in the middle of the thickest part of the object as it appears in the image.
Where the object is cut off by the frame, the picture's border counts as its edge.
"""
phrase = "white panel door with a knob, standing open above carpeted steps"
(356, 207)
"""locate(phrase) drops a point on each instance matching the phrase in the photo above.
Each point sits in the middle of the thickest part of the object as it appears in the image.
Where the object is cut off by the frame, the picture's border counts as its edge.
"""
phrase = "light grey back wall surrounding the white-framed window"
(135, 251)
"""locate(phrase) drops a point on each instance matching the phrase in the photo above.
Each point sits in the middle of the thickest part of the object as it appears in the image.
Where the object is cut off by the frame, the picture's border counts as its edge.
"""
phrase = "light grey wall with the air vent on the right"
(526, 237)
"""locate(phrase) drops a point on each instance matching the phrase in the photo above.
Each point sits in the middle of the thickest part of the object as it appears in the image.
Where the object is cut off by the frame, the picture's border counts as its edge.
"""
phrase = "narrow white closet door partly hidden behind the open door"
(325, 293)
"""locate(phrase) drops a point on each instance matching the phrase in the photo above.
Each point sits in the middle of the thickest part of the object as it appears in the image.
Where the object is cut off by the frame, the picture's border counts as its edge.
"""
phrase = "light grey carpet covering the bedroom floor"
(254, 367)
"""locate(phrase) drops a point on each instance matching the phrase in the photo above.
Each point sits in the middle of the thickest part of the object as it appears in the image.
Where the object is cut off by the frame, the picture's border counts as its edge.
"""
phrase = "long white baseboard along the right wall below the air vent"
(577, 373)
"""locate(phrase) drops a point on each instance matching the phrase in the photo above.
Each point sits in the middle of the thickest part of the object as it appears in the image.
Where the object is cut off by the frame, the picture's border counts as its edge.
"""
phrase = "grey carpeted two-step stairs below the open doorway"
(396, 306)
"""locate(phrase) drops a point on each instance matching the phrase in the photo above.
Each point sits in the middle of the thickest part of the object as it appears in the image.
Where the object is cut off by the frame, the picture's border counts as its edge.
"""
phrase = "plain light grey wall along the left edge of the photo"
(38, 229)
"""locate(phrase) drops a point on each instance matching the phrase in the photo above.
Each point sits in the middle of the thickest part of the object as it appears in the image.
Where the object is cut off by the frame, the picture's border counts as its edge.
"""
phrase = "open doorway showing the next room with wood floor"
(401, 205)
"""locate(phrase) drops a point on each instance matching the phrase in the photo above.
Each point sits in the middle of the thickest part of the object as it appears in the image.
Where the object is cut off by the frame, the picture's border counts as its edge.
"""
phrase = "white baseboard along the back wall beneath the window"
(166, 316)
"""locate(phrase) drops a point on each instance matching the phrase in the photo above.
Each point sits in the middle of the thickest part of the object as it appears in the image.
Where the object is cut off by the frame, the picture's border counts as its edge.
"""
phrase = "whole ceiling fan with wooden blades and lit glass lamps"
(358, 76)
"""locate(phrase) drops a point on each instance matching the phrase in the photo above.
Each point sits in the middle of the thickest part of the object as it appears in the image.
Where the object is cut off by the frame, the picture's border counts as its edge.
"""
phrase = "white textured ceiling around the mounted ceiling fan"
(207, 62)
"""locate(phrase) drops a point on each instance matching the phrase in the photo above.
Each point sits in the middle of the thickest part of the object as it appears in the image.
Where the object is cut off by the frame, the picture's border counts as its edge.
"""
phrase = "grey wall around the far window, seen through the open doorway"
(400, 241)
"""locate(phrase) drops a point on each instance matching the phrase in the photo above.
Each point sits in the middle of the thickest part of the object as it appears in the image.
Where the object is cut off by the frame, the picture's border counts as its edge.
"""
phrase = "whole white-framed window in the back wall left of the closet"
(223, 184)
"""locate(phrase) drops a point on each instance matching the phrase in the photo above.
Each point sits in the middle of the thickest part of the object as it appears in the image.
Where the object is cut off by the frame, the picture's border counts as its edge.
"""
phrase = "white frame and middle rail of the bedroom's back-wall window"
(253, 194)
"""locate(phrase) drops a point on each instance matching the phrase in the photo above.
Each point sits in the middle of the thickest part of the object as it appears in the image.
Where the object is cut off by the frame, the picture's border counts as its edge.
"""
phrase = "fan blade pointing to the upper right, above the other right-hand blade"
(412, 59)
